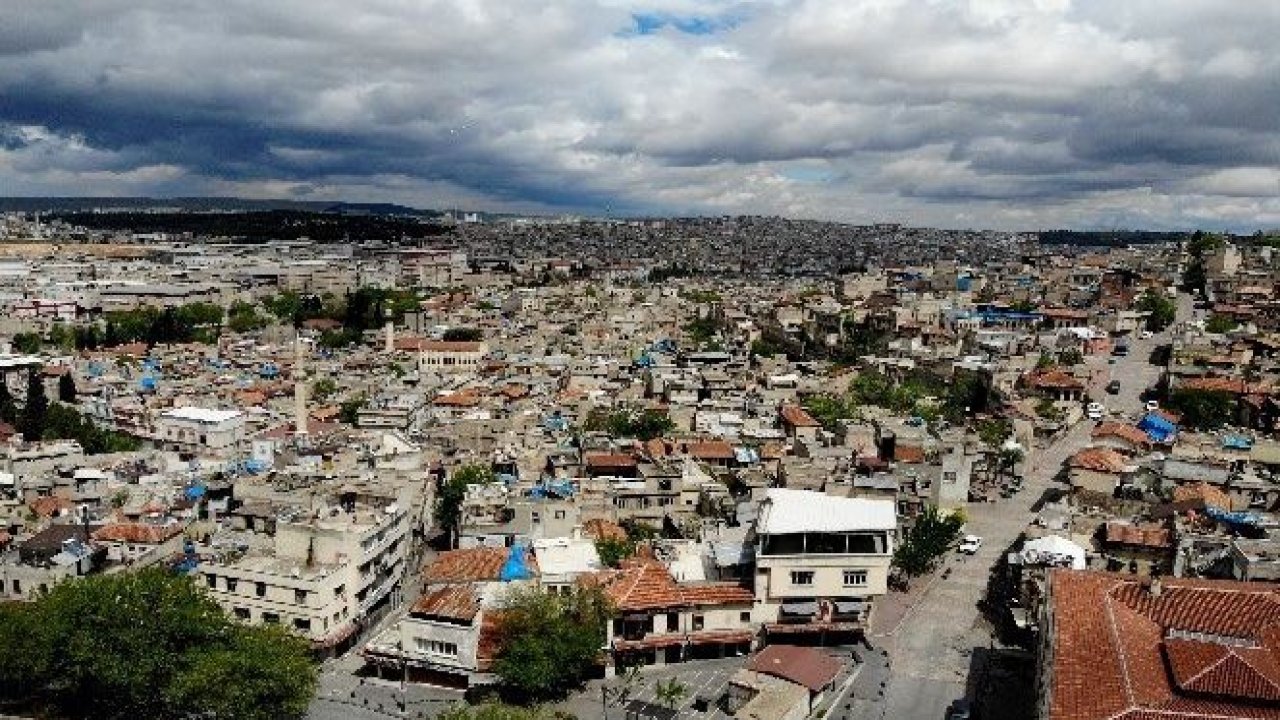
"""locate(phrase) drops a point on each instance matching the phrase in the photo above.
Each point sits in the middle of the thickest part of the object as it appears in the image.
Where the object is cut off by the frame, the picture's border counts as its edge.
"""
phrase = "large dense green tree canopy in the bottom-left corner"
(148, 645)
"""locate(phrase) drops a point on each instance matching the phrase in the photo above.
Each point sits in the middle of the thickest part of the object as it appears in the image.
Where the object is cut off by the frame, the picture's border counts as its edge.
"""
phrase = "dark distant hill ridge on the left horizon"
(62, 206)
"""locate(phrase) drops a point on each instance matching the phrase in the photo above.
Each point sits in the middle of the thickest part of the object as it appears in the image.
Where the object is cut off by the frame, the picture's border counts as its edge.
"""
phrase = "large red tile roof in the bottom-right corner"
(1201, 649)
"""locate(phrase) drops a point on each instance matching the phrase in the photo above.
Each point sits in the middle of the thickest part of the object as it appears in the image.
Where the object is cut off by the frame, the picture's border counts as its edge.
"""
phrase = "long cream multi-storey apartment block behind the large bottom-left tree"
(322, 575)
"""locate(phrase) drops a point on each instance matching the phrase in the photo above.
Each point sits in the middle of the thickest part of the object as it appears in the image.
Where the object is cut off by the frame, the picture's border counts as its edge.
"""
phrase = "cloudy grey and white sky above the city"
(1009, 115)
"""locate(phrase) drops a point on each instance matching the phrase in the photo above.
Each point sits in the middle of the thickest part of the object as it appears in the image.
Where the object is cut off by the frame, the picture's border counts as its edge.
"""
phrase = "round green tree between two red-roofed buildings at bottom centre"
(550, 642)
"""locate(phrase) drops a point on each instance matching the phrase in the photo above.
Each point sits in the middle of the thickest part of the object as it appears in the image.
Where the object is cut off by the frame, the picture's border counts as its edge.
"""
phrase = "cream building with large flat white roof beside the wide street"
(821, 562)
